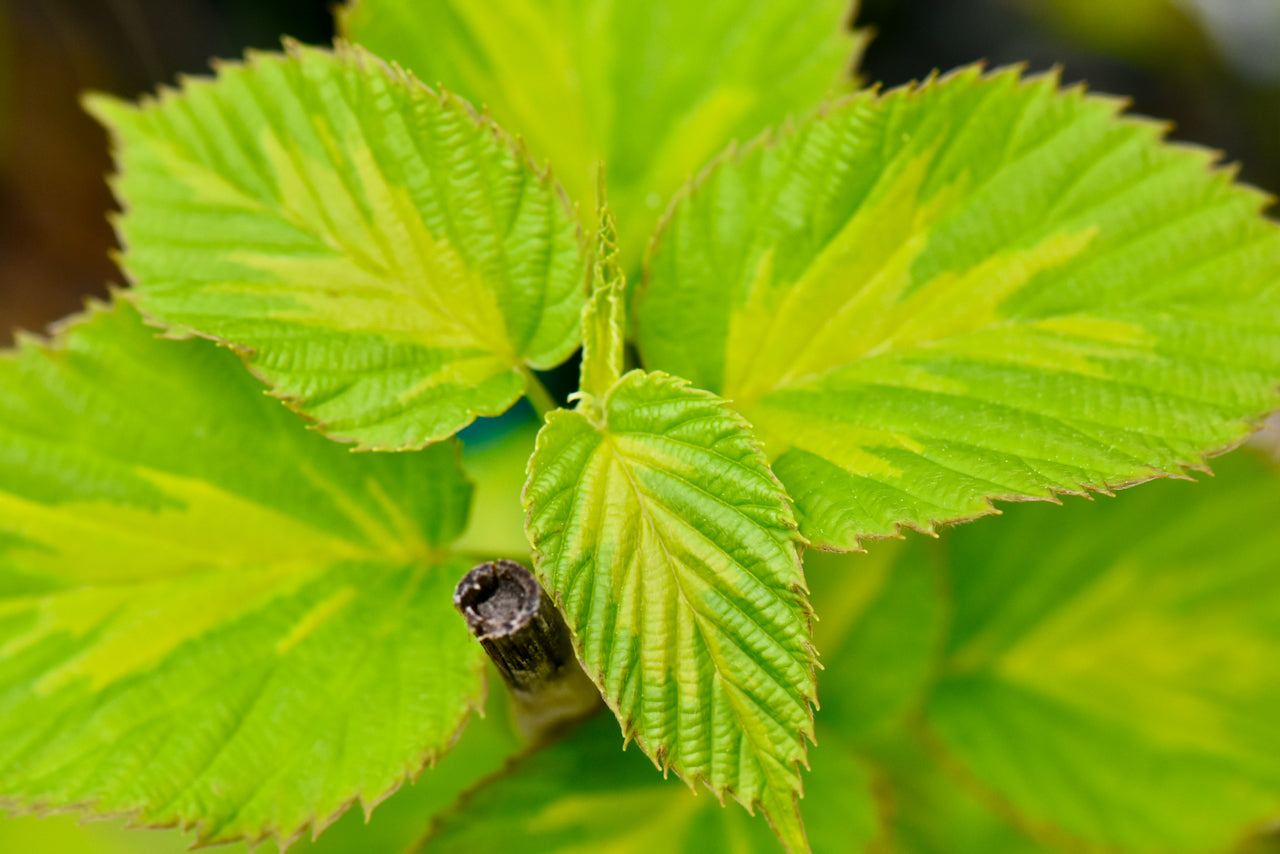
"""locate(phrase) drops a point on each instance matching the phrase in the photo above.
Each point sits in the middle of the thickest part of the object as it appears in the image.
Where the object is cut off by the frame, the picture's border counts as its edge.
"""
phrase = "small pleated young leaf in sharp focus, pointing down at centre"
(673, 551)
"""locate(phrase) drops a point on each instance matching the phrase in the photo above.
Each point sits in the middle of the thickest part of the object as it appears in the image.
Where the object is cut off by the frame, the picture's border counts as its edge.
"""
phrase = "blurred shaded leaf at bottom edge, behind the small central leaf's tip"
(587, 794)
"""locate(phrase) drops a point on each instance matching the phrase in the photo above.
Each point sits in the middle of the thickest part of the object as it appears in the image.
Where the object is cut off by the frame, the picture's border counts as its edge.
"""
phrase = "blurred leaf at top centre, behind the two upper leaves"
(652, 89)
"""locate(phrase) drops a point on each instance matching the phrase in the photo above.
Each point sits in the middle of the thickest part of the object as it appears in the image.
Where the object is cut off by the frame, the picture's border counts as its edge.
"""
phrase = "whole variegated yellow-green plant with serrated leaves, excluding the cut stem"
(858, 313)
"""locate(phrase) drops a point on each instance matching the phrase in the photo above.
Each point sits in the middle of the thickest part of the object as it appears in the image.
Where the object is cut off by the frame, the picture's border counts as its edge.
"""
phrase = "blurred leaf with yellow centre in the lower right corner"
(1113, 673)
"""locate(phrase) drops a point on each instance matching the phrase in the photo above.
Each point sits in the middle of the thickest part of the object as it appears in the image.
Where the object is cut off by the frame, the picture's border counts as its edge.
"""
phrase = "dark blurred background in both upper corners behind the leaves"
(1223, 92)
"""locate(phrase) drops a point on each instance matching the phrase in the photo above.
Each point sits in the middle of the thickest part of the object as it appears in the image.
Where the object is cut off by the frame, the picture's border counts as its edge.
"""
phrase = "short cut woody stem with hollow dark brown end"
(529, 643)
